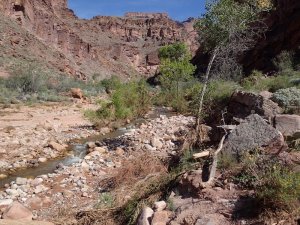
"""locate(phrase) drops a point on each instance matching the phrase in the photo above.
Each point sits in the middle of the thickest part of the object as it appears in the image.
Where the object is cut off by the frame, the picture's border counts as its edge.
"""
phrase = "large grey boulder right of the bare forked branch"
(253, 133)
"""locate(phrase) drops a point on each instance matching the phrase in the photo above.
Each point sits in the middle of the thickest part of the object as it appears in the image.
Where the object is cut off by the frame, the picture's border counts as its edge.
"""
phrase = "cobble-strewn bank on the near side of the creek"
(76, 187)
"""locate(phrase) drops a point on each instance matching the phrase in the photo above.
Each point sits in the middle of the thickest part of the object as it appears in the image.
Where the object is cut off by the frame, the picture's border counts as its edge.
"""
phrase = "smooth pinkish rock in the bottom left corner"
(17, 212)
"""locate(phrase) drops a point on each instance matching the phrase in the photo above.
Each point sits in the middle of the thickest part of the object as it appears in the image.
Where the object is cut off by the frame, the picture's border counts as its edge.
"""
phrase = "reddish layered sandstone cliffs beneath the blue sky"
(104, 45)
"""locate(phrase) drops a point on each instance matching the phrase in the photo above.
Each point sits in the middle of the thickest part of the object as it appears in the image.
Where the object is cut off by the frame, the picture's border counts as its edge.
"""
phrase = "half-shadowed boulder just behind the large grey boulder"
(242, 104)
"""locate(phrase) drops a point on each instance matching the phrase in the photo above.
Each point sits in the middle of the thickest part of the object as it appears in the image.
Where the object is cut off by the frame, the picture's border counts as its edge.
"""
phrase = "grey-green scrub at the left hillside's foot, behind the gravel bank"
(30, 82)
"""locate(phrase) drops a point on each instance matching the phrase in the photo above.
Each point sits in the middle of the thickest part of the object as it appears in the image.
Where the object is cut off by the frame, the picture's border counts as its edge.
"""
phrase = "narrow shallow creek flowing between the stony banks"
(78, 150)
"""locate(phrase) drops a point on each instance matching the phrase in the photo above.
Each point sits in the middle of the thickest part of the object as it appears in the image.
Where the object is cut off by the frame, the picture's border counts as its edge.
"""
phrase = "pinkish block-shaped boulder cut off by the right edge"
(288, 125)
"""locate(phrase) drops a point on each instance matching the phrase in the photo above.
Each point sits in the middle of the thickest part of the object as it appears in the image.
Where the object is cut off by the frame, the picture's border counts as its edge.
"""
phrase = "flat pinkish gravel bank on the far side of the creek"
(33, 135)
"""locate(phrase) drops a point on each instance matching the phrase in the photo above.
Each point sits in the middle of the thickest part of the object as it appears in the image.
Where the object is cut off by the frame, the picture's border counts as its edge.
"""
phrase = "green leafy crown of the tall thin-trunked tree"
(223, 20)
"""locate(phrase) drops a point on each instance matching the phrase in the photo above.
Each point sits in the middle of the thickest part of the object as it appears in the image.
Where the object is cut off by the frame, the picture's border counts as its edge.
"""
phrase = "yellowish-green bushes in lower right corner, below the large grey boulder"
(276, 185)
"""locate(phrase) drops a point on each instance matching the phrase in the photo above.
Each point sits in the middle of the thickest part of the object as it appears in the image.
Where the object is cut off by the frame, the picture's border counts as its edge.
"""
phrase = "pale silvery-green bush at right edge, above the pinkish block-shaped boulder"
(288, 97)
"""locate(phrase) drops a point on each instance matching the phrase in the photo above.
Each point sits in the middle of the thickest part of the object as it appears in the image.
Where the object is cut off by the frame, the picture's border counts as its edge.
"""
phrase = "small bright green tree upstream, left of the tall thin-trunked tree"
(175, 68)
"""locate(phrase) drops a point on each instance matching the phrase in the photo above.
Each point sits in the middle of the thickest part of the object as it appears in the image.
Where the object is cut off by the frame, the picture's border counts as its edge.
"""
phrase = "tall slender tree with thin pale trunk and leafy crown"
(226, 30)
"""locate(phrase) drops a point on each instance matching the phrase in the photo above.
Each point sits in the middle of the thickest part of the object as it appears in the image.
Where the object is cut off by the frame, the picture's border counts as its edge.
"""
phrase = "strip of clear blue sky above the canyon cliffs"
(177, 9)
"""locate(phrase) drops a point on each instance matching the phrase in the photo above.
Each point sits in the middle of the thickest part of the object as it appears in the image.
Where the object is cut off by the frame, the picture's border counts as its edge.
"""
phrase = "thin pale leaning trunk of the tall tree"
(206, 79)
